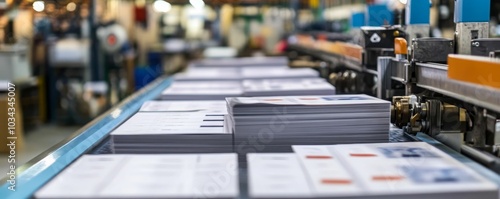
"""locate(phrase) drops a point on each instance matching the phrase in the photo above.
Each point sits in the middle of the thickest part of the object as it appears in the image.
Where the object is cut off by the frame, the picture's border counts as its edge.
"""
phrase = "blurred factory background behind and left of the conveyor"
(71, 60)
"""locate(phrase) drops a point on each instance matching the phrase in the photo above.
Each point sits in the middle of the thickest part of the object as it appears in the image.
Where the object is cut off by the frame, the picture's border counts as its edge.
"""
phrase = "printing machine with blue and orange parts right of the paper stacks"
(444, 88)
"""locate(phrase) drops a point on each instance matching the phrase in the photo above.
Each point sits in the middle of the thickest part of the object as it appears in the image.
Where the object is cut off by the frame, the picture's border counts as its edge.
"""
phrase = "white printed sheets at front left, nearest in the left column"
(146, 176)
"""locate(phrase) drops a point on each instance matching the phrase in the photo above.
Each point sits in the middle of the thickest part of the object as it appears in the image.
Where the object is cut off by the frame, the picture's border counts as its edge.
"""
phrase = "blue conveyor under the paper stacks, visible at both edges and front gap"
(94, 139)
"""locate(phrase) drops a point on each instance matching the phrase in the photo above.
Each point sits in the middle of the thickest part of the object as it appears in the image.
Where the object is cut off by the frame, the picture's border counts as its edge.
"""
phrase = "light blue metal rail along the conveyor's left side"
(34, 174)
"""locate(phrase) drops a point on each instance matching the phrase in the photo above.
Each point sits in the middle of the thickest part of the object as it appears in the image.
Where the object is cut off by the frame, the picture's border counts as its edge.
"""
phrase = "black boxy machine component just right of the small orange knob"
(431, 49)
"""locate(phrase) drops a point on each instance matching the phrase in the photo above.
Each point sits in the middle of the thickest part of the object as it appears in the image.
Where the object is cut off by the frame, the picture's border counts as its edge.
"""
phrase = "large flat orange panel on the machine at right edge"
(474, 69)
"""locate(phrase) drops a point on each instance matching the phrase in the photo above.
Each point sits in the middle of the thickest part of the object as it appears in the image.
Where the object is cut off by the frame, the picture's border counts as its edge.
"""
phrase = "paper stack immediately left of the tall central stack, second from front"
(172, 132)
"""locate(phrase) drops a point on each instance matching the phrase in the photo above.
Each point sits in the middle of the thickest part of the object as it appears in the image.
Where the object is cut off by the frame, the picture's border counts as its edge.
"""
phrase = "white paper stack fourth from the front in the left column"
(201, 90)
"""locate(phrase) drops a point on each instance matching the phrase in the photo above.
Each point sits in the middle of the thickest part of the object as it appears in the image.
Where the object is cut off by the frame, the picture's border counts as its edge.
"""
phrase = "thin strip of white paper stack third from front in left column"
(208, 106)
